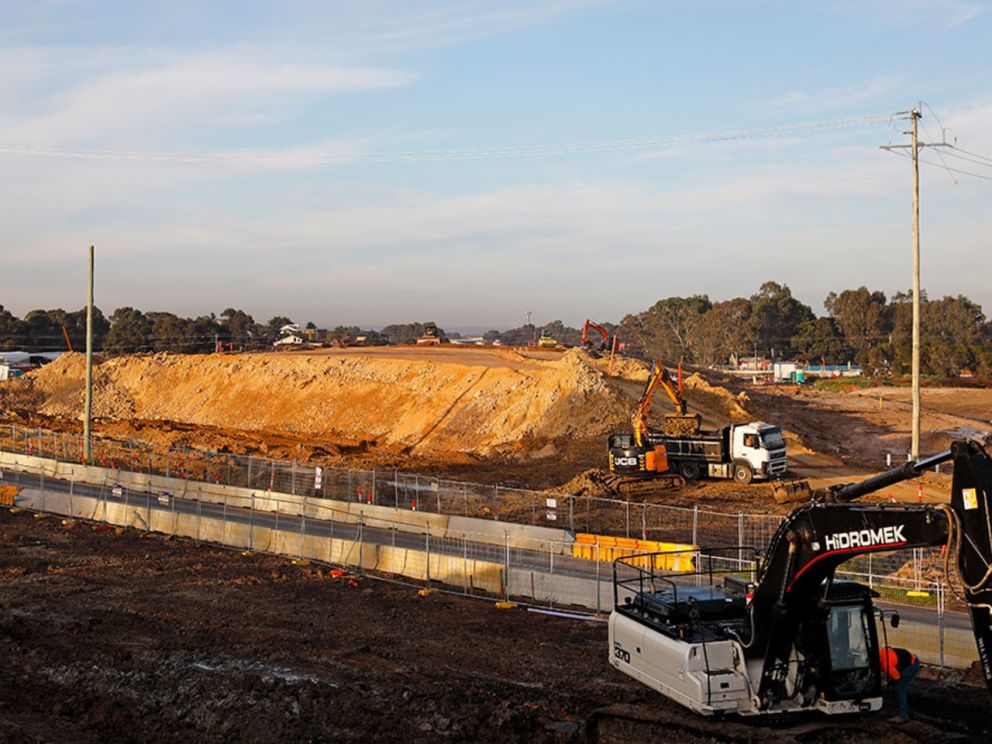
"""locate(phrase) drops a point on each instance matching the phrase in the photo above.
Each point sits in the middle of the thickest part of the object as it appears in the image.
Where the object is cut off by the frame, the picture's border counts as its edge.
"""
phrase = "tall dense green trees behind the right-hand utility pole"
(860, 326)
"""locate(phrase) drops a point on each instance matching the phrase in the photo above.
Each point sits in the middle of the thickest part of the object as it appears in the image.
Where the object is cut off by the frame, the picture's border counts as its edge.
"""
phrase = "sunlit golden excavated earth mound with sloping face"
(419, 405)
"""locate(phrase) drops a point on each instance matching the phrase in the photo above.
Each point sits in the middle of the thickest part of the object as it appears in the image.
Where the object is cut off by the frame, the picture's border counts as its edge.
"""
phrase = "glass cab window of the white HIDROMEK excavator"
(849, 640)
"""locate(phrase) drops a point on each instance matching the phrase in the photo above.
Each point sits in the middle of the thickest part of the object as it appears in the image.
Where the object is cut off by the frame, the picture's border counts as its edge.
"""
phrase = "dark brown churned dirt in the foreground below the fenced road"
(108, 637)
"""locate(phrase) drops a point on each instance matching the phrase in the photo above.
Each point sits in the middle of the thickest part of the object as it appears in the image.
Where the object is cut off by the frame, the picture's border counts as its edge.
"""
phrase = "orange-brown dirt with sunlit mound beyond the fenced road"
(524, 418)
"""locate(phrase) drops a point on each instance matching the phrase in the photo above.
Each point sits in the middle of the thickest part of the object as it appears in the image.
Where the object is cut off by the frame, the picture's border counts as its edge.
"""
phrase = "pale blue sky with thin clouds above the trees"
(380, 161)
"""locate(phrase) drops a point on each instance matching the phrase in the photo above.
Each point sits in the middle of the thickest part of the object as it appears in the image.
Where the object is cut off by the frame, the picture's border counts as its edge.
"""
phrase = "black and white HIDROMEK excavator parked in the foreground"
(794, 638)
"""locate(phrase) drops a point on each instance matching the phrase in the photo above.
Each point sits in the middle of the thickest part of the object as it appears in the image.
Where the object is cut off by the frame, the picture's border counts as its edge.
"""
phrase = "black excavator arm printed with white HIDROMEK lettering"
(813, 541)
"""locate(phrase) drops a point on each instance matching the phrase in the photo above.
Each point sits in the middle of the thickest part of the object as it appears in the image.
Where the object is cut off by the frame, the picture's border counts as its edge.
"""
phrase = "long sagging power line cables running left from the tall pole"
(516, 151)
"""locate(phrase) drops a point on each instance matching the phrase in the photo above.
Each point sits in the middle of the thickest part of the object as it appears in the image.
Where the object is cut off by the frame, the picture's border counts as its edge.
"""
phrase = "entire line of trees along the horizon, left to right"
(860, 326)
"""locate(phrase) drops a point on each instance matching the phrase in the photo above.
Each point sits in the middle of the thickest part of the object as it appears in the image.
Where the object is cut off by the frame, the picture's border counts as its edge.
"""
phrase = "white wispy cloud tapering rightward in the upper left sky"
(124, 95)
